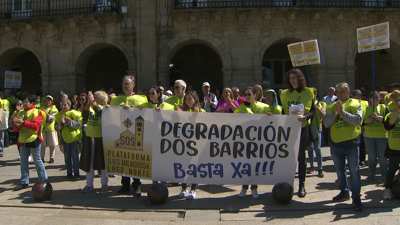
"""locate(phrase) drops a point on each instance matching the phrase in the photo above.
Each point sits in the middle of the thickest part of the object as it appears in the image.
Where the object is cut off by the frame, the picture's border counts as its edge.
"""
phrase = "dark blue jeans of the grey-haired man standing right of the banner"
(339, 159)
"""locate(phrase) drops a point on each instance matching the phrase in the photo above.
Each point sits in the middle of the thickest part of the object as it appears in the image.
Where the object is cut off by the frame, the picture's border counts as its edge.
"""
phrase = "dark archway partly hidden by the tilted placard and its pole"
(276, 62)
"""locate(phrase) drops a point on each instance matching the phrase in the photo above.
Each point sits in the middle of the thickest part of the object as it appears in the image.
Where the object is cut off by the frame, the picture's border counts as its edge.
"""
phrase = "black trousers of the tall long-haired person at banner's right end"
(304, 142)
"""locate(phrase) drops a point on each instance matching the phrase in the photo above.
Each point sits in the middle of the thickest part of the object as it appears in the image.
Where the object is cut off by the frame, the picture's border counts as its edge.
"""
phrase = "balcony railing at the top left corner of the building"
(15, 9)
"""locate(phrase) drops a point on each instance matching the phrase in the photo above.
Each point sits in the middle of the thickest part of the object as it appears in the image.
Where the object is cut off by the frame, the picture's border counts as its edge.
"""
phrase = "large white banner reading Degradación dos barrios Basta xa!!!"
(207, 148)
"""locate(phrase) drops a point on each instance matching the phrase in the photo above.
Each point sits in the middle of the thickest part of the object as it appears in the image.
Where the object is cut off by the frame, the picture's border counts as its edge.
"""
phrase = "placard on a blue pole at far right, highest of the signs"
(373, 37)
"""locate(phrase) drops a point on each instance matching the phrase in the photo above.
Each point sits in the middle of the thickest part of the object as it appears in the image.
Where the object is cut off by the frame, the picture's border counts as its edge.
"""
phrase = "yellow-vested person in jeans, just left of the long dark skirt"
(68, 124)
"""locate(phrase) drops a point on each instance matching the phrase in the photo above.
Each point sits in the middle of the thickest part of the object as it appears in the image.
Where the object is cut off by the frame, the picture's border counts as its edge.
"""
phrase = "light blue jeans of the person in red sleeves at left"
(24, 153)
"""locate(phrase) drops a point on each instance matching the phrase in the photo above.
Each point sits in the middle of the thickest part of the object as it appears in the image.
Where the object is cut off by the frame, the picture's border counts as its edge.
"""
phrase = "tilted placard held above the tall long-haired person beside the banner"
(304, 53)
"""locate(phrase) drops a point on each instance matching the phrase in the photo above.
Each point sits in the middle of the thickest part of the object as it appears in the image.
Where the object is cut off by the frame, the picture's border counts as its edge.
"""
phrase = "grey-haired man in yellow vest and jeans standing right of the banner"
(344, 118)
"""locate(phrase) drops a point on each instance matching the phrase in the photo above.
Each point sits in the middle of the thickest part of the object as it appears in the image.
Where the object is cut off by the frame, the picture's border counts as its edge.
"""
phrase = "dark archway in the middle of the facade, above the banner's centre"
(196, 64)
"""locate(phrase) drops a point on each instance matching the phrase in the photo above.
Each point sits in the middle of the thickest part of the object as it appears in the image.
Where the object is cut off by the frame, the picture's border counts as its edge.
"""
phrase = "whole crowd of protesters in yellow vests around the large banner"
(354, 124)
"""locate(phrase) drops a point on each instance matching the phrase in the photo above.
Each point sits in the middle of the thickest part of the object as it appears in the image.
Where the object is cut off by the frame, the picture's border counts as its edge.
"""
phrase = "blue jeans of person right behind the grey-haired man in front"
(376, 148)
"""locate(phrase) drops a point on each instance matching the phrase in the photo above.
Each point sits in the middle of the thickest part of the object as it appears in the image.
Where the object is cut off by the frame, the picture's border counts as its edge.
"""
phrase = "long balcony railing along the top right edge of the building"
(198, 4)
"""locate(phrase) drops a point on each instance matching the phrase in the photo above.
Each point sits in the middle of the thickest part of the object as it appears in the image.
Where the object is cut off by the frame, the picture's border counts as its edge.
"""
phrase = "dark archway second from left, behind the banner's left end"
(105, 69)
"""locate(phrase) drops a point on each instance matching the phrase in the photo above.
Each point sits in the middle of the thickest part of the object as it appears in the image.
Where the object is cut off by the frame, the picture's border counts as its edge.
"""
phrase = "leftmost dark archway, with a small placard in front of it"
(24, 61)
